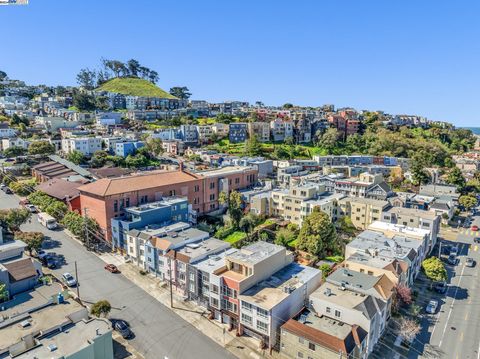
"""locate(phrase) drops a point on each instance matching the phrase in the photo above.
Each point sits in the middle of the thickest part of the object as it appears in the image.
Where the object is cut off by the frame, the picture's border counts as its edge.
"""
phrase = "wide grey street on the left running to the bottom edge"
(158, 331)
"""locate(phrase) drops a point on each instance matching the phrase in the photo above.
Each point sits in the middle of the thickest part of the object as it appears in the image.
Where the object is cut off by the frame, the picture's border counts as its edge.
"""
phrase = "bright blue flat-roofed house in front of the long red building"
(163, 212)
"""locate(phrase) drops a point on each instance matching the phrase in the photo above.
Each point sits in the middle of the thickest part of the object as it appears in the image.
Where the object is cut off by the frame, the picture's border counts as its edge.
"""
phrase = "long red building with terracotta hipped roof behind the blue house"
(102, 199)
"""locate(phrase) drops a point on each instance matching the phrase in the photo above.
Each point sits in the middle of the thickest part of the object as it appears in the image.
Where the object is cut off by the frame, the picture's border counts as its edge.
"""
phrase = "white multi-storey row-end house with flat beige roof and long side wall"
(266, 306)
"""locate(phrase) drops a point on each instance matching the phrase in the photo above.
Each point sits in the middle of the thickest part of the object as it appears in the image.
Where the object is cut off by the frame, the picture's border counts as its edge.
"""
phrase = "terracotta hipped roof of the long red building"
(106, 187)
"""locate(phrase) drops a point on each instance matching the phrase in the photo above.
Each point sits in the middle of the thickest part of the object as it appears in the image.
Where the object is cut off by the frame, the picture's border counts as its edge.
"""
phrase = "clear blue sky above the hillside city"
(409, 56)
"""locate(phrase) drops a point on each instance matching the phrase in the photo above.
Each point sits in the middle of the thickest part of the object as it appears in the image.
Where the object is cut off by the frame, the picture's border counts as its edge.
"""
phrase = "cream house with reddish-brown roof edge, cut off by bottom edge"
(309, 335)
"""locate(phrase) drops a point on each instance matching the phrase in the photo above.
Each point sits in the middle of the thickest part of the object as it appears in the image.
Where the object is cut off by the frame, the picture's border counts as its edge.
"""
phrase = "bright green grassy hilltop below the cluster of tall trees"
(134, 87)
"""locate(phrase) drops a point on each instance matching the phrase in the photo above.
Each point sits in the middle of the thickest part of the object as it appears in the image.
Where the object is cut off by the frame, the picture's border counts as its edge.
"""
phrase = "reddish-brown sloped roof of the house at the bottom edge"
(321, 338)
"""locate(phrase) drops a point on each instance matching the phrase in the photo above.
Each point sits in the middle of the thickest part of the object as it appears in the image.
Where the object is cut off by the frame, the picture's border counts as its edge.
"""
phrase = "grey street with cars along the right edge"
(454, 332)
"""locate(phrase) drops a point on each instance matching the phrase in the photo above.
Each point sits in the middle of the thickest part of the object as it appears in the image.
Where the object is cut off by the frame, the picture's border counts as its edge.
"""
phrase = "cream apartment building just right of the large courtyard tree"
(362, 211)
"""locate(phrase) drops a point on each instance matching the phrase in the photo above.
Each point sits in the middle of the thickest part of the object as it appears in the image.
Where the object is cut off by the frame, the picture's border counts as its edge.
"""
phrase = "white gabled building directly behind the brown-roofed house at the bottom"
(345, 305)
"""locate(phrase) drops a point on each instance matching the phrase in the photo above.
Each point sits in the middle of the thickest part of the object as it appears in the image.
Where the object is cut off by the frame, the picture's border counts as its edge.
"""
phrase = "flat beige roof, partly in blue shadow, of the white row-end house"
(272, 291)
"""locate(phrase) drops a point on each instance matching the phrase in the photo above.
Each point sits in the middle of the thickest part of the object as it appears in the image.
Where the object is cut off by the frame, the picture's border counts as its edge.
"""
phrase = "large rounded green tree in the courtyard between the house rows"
(317, 235)
